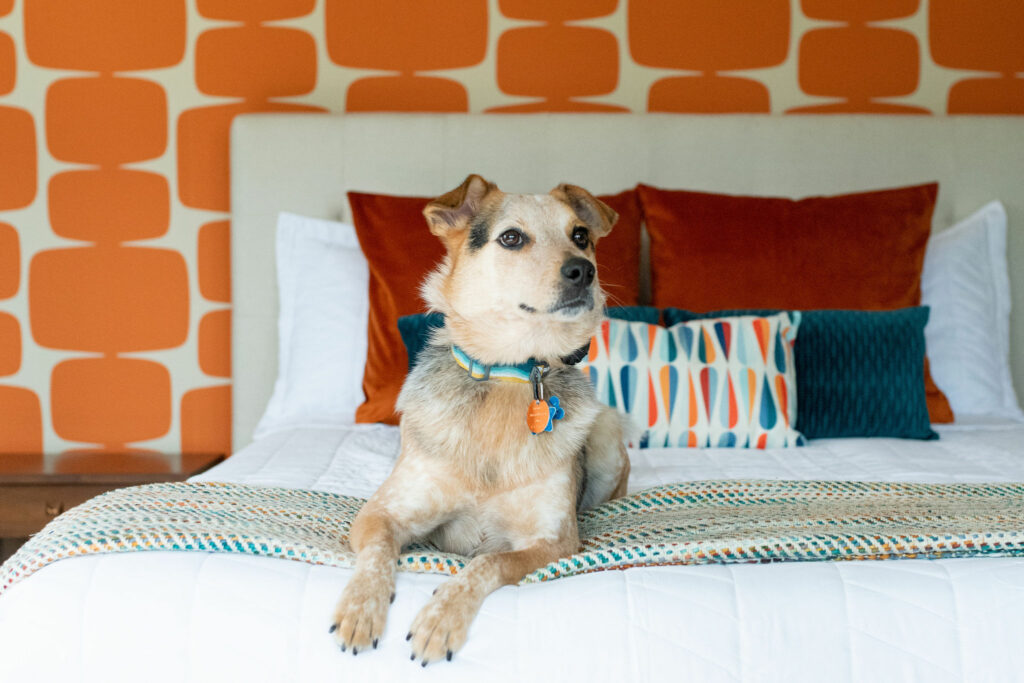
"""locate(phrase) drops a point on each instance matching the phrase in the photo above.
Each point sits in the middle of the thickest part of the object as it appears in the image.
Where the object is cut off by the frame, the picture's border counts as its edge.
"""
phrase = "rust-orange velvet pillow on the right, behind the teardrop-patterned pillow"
(864, 251)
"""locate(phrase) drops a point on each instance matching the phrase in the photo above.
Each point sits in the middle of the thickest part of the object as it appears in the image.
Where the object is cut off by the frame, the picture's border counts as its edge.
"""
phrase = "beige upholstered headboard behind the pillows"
(306, 164)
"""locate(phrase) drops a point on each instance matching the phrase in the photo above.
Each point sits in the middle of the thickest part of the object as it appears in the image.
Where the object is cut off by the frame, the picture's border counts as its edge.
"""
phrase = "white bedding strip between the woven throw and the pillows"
(356, 460)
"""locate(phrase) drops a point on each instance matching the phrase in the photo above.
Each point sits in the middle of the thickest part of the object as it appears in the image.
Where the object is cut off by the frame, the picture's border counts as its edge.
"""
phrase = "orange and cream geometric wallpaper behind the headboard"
(115, 300)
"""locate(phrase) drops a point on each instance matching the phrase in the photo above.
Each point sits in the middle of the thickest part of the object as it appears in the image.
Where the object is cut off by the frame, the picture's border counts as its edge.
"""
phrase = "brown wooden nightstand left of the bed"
(32, 494)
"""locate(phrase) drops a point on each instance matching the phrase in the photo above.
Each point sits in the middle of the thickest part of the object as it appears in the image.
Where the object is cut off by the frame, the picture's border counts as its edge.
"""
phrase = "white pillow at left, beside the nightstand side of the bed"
(323, 280)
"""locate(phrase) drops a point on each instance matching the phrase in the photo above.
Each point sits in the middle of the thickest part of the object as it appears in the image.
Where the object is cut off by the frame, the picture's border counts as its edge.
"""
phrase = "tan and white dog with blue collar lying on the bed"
(520, 291)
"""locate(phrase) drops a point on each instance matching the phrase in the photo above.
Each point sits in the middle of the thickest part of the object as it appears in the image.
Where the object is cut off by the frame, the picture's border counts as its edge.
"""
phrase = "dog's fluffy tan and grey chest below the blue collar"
(505, 486)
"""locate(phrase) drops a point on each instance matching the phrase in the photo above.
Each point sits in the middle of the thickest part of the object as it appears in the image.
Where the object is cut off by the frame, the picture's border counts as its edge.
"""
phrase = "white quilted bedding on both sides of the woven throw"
(199, 617)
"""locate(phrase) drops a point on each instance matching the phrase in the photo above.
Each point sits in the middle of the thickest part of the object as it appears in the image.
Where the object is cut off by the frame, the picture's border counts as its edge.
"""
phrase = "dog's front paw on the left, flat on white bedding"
(362, 613)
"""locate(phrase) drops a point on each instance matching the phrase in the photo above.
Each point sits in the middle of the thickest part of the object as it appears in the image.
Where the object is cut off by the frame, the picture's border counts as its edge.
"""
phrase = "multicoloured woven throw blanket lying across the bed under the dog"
(696, 523)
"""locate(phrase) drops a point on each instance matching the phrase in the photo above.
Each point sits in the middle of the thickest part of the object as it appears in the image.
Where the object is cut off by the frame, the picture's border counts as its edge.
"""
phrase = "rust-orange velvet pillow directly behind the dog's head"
(402, 251)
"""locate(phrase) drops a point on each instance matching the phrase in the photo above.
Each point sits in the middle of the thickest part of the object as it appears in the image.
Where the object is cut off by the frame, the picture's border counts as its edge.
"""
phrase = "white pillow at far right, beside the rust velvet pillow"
(966, 284)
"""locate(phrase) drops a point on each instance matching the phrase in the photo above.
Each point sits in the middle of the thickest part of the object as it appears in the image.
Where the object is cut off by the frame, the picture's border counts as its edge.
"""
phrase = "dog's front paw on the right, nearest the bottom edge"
(441, 628)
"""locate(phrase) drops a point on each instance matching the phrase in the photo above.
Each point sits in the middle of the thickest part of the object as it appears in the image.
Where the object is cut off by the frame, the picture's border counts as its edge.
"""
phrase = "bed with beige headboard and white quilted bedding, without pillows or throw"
(181, 616)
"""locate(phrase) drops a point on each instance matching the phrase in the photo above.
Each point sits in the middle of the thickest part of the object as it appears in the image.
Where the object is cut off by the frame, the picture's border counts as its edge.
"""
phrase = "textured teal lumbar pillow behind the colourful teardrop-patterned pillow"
(859, 373)
